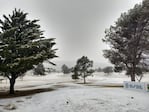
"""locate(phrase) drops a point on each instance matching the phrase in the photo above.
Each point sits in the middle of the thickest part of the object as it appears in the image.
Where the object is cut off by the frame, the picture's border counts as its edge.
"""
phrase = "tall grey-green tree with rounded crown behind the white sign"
(129, 41)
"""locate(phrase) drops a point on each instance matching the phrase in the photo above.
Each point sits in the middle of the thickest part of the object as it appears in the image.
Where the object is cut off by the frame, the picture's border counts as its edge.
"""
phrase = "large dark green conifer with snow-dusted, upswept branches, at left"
(22, 46)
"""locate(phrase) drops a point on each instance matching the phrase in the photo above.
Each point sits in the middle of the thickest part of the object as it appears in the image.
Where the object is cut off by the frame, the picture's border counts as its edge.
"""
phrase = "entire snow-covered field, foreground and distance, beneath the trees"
(74, 97)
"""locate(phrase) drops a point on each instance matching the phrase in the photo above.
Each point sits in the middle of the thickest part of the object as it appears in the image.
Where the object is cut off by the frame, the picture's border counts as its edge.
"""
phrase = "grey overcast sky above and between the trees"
(77, 25)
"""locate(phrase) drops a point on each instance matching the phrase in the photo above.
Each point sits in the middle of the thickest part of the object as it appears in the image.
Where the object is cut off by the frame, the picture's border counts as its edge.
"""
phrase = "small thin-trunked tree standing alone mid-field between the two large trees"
(83, 67)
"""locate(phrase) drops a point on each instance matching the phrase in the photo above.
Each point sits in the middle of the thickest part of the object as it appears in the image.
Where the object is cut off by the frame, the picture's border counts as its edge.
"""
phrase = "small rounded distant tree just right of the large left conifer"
(39, 69)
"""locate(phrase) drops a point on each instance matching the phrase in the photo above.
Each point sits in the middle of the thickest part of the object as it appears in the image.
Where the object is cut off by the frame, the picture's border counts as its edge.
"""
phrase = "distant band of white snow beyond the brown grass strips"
(30, 81)
